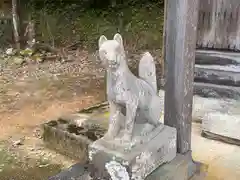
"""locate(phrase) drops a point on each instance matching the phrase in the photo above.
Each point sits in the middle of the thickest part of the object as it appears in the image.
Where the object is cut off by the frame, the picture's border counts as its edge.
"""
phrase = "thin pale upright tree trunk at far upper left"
(16, 28)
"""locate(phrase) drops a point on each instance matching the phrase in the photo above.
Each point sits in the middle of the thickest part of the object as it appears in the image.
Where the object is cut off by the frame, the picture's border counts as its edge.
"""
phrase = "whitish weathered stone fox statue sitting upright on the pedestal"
(136, 97)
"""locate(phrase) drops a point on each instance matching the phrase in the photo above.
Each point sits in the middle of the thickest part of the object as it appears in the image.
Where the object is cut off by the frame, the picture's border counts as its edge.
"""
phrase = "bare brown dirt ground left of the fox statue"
(33, 94)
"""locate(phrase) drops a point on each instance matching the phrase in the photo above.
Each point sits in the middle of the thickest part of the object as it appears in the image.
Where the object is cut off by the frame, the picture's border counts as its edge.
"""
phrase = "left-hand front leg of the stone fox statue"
(114, 120)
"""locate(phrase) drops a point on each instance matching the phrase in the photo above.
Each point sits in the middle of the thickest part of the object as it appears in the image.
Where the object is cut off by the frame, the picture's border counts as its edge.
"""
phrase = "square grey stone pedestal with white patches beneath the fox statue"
(134, 161)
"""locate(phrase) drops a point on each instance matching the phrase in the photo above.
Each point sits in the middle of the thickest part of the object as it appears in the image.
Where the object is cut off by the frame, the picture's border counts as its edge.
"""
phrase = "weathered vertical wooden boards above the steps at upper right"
(219, 24)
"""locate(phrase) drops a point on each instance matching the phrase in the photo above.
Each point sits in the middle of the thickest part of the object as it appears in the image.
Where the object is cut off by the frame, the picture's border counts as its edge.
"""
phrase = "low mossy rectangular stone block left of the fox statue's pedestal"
(70, 139)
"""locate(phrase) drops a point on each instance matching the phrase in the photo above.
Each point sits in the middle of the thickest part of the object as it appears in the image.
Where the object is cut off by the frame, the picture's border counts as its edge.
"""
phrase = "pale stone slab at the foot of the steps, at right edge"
(222, 126)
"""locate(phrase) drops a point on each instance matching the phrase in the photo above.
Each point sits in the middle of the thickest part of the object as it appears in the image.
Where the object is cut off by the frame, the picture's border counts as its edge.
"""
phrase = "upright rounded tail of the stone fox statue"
(147, 70)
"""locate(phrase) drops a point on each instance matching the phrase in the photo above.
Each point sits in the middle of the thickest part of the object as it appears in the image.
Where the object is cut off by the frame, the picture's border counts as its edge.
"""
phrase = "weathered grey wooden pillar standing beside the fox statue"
(180, 44)
